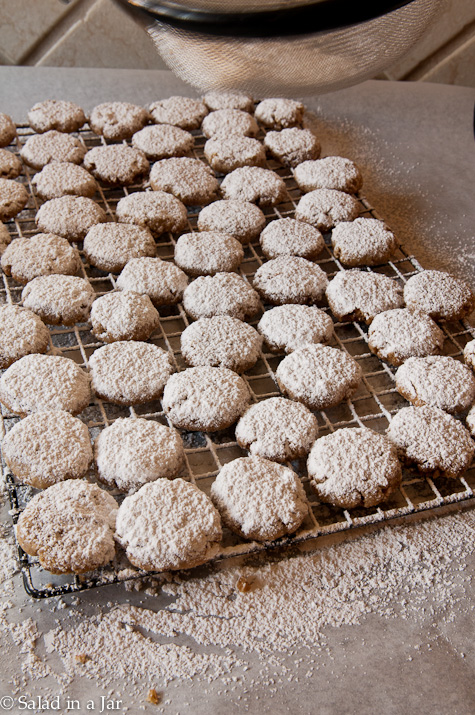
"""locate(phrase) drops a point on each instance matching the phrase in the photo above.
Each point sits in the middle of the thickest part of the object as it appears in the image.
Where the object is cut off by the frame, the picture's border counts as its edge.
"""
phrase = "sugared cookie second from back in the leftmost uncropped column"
(51, 147)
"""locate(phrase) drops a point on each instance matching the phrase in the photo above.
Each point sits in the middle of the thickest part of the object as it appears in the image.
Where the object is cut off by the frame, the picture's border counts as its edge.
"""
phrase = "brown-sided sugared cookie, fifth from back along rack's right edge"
(363, 242)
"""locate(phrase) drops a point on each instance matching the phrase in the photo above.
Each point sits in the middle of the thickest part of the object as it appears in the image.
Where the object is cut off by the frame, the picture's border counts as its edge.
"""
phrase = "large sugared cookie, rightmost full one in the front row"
(435, 442)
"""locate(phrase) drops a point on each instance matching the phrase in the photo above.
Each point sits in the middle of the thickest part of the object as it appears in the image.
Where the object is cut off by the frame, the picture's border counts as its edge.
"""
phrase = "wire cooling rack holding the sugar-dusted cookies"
(372, 406)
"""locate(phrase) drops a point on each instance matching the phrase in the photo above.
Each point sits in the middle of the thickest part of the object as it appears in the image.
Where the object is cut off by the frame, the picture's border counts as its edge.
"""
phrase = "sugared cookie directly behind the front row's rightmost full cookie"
(437, 380)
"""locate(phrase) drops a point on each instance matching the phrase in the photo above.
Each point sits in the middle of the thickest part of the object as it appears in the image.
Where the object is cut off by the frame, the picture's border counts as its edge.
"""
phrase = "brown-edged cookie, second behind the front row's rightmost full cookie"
(398, 334)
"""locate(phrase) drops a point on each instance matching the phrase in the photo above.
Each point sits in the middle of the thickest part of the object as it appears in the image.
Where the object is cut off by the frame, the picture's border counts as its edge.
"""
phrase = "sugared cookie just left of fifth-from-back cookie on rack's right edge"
(288, 237)
